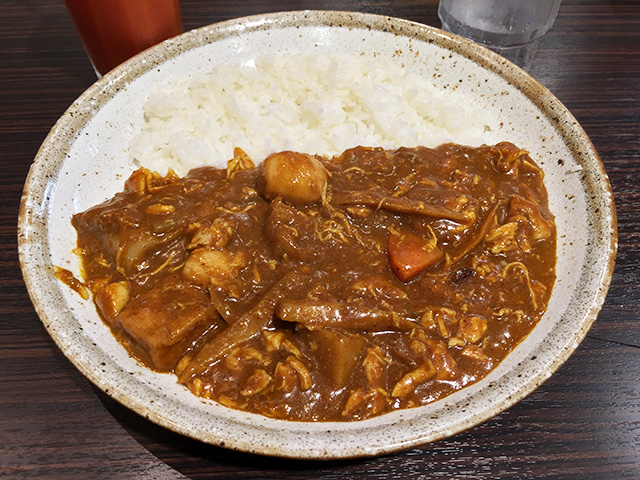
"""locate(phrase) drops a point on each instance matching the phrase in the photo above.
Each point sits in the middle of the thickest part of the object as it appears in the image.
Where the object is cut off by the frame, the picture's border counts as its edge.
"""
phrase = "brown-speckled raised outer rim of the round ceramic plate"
(256, 434)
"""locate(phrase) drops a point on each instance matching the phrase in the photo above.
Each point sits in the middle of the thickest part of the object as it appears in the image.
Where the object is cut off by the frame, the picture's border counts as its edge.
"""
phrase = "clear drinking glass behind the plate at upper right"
(511, 28)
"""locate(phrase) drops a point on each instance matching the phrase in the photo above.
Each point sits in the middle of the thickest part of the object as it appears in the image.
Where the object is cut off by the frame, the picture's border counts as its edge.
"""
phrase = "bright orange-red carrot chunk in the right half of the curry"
(410, 254)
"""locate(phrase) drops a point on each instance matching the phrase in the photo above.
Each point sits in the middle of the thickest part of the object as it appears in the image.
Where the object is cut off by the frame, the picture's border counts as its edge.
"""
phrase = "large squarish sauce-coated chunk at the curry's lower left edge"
(166, 320)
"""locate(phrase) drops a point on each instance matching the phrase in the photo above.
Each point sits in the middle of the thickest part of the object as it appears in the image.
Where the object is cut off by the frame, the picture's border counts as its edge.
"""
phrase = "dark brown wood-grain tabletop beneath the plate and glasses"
(583, 422)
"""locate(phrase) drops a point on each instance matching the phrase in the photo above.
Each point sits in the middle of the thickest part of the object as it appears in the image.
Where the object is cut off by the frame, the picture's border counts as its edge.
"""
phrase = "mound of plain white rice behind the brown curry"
(318, 104)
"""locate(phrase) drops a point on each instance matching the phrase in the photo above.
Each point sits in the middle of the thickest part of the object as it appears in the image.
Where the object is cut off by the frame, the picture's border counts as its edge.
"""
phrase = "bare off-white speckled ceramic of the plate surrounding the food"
(84, 161)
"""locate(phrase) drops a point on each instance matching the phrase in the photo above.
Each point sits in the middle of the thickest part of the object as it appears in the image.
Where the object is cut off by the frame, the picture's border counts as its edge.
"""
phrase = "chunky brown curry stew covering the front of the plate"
(326, 289)
